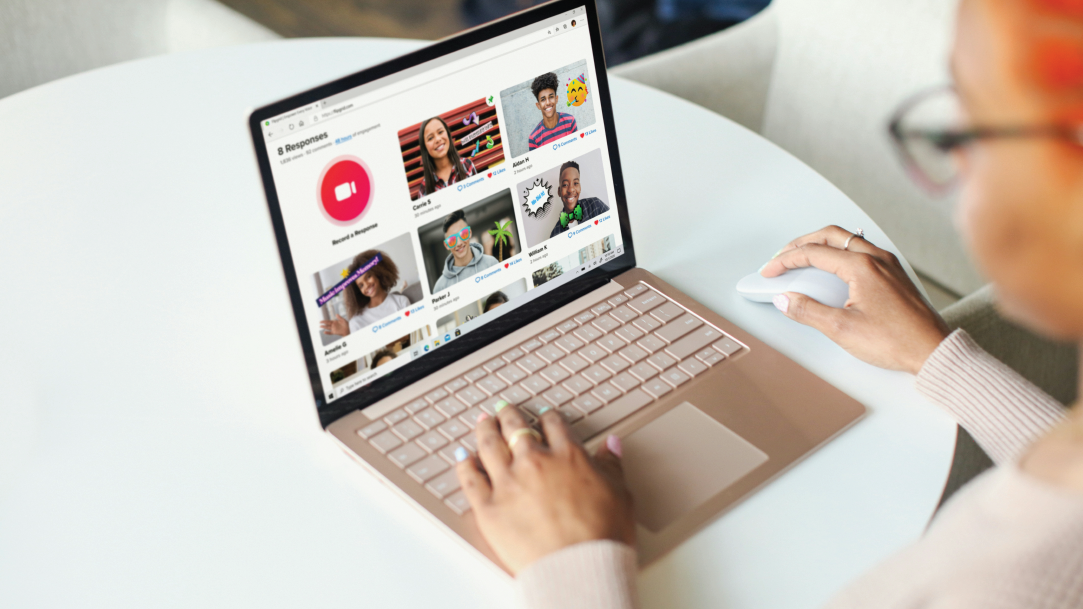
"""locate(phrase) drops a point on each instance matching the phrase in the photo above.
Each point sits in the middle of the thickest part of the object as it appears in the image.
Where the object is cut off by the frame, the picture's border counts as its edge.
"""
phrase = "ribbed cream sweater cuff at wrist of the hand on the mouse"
(1003, 411)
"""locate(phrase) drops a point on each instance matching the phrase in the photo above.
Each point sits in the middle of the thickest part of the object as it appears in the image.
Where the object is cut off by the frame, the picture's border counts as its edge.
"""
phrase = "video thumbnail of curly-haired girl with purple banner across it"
(361, 291)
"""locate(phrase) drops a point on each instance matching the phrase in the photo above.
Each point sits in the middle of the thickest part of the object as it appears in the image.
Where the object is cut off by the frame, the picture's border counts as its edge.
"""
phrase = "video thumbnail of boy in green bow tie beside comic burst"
(564, 198)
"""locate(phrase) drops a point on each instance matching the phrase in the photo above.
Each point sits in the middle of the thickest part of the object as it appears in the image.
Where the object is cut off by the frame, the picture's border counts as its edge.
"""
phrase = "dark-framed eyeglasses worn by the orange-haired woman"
(929, 132)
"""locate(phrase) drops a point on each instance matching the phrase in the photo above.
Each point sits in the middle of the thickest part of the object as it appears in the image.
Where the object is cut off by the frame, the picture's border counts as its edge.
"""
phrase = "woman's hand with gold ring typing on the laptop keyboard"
(533, 500)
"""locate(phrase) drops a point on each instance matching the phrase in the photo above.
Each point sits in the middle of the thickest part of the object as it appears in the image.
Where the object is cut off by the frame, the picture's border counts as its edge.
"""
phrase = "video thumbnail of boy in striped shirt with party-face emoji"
(547, 108)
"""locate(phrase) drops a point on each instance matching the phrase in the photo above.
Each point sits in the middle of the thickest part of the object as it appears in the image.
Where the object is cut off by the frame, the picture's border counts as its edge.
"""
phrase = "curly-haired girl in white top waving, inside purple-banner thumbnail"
(367, 300)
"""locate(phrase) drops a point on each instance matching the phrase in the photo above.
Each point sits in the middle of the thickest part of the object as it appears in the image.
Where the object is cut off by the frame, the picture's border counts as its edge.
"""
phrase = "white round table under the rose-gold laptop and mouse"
(159, 444)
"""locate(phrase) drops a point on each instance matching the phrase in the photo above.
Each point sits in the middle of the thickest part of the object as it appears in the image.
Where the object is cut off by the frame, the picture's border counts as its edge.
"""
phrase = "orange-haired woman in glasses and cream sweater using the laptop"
(1012, 538)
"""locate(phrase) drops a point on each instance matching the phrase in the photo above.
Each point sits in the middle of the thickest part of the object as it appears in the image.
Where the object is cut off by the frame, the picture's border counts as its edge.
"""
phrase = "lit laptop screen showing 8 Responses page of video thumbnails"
(423, 205)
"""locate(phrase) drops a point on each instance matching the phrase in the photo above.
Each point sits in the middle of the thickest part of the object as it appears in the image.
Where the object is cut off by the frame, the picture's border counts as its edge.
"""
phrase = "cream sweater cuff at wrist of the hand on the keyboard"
(598, 575)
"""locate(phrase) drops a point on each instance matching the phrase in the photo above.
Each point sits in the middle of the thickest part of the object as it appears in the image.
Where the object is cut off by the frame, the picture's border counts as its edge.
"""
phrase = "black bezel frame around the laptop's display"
(501, 327)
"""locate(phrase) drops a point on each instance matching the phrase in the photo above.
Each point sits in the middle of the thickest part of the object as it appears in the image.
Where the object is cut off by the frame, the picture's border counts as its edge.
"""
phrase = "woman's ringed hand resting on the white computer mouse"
(885, 322)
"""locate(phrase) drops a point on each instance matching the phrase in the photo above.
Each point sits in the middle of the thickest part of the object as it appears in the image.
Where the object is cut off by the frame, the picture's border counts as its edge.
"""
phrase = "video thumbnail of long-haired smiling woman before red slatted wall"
(447, 149)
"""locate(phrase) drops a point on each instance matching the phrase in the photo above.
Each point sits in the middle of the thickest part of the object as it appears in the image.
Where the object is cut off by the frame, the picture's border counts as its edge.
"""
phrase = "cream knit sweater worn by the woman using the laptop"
(1006, 540)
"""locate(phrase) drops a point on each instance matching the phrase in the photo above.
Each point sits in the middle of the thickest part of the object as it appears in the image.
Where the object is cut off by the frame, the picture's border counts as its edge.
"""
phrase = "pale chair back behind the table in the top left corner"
(43, 41)
